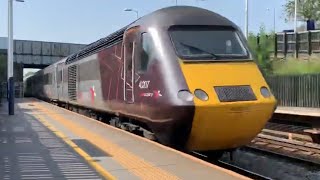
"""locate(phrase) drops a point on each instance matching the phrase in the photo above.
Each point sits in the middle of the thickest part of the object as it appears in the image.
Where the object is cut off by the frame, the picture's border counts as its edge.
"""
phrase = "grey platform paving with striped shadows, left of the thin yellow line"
(30, 151)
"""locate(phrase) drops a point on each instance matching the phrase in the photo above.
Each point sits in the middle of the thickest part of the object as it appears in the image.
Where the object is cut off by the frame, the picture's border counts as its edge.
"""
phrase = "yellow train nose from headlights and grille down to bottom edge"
(229, 116)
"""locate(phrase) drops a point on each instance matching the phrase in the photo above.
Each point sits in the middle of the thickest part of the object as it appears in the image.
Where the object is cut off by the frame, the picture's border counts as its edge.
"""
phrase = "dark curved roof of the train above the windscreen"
(162, 18)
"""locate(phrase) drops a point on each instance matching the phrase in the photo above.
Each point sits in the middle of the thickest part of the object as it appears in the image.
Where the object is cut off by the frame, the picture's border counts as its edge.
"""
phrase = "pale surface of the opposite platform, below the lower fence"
(298, 111)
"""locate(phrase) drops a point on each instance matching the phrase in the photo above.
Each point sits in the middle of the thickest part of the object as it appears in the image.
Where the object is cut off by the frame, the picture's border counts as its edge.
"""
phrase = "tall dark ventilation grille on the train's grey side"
(72, 82)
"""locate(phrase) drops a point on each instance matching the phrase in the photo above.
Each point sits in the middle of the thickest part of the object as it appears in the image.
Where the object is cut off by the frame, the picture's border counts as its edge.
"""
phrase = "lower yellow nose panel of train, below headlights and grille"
(228, 126)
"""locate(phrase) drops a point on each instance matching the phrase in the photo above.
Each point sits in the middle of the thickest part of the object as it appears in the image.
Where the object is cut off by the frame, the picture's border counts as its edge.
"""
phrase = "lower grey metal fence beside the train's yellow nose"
(296, 91)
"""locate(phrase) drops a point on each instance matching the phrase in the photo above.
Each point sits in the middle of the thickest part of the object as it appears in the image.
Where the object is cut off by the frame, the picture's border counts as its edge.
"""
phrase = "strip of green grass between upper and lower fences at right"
(296, 66)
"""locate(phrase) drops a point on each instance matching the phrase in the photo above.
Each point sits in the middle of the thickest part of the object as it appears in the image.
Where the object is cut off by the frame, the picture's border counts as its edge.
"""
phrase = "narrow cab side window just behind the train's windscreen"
(146, 52)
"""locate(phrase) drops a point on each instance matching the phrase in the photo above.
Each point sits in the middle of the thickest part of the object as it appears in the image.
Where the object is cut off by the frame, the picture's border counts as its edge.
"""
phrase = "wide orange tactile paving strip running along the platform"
(128, 160)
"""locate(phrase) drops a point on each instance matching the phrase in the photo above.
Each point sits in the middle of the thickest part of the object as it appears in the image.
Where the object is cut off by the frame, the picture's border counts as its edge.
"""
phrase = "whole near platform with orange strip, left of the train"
(43, 141)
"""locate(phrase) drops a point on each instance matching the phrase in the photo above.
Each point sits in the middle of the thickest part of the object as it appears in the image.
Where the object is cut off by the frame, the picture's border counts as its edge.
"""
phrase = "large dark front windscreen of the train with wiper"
(208, 43)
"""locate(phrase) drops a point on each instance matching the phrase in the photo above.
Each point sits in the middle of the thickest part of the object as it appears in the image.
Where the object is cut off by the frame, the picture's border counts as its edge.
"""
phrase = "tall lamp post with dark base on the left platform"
(10, 57)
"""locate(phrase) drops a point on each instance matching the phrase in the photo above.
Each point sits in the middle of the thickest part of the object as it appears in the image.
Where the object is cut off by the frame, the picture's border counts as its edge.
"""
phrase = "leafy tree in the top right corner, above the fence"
(307, 10)
